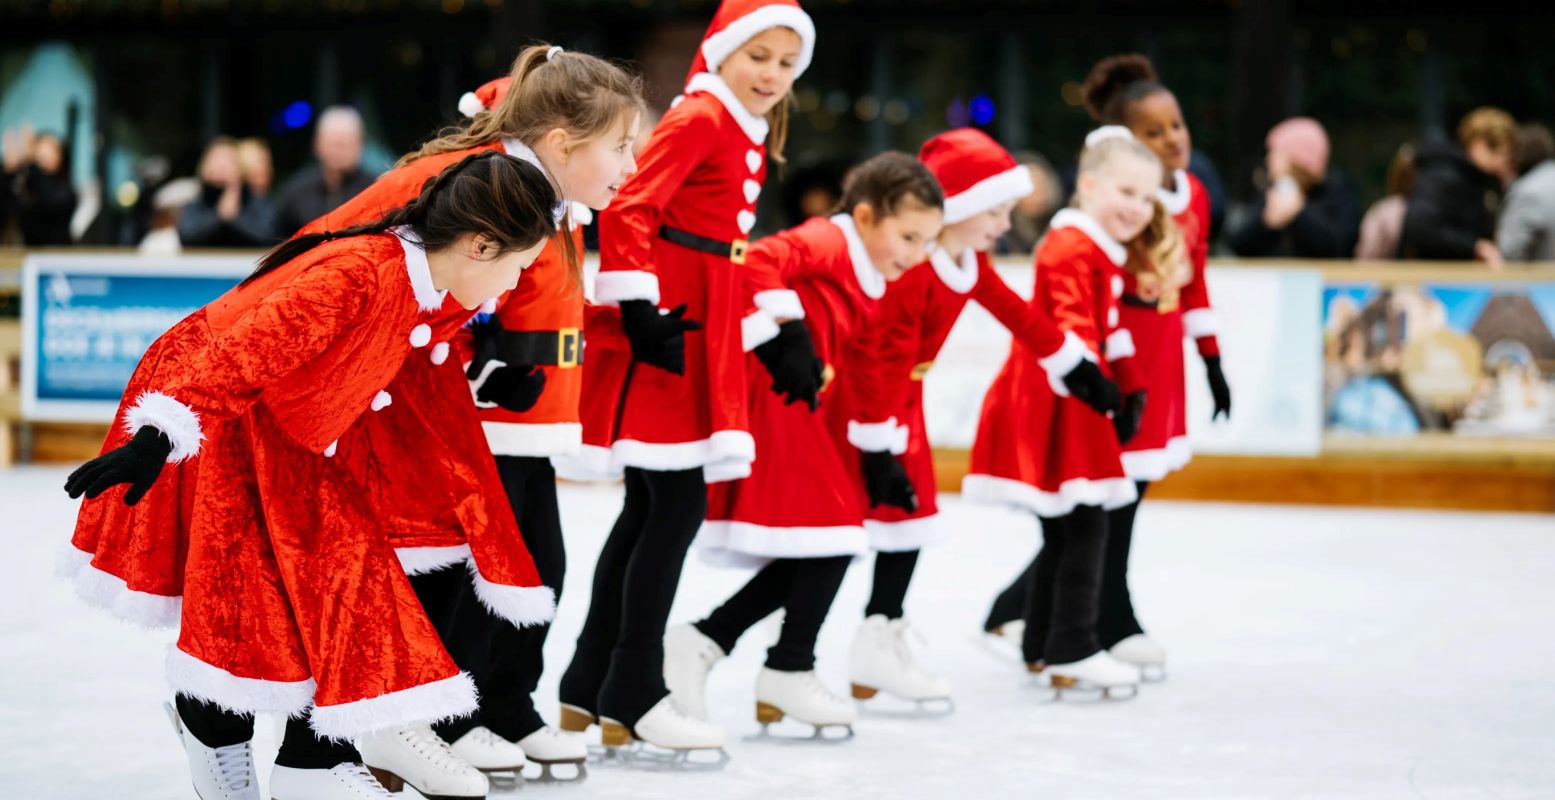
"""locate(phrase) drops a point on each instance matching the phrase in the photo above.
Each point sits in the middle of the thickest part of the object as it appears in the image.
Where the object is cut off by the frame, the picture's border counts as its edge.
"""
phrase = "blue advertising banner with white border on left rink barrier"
(88, 320)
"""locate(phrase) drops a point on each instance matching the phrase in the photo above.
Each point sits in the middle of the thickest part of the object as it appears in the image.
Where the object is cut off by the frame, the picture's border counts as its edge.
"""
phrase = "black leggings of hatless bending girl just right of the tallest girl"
(803, 588)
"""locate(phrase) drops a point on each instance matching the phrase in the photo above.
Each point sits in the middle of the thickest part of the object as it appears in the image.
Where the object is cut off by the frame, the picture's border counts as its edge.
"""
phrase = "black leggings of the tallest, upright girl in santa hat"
(618, 668)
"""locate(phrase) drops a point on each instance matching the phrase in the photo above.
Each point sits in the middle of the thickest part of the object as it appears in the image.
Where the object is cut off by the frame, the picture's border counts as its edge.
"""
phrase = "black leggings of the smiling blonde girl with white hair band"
(1077, 597)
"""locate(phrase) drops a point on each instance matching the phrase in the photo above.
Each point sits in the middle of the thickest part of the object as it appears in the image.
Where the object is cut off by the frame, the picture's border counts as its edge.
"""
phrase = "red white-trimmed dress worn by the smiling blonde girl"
(1038, 451)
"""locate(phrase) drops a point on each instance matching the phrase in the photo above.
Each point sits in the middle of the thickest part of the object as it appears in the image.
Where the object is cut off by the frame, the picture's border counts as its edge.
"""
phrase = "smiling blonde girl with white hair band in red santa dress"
(1054, 455)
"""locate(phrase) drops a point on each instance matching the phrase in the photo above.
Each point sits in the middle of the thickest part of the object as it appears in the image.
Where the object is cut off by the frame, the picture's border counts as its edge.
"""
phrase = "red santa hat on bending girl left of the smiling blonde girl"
(976, 174)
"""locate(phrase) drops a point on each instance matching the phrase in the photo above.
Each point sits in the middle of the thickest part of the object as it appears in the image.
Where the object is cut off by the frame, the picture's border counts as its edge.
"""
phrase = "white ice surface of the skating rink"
(1315, 654)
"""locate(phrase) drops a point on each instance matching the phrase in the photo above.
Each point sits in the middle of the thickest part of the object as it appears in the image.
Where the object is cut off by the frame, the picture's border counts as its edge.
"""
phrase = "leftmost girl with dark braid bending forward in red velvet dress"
(292, 597)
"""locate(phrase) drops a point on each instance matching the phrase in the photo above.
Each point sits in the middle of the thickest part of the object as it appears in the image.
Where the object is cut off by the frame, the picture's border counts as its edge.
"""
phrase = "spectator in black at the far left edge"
(37, 188)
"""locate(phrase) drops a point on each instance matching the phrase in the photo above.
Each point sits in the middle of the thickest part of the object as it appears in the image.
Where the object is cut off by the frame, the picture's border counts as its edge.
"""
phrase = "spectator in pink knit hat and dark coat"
(1307, 209)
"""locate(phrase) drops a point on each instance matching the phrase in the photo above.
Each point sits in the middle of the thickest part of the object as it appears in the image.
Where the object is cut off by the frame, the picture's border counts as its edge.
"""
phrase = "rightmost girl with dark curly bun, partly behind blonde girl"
(1162, 304)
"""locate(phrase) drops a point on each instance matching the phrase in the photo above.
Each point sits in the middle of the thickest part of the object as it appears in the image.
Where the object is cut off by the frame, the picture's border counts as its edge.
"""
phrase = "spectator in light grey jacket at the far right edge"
(1528, 220)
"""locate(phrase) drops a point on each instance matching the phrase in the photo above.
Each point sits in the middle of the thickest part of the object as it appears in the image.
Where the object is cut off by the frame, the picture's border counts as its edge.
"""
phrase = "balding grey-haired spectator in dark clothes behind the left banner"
(337, 178)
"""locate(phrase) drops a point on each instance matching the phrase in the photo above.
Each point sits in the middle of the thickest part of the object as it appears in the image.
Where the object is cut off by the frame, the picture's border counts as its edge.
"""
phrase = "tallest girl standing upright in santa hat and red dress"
(673, 407)
